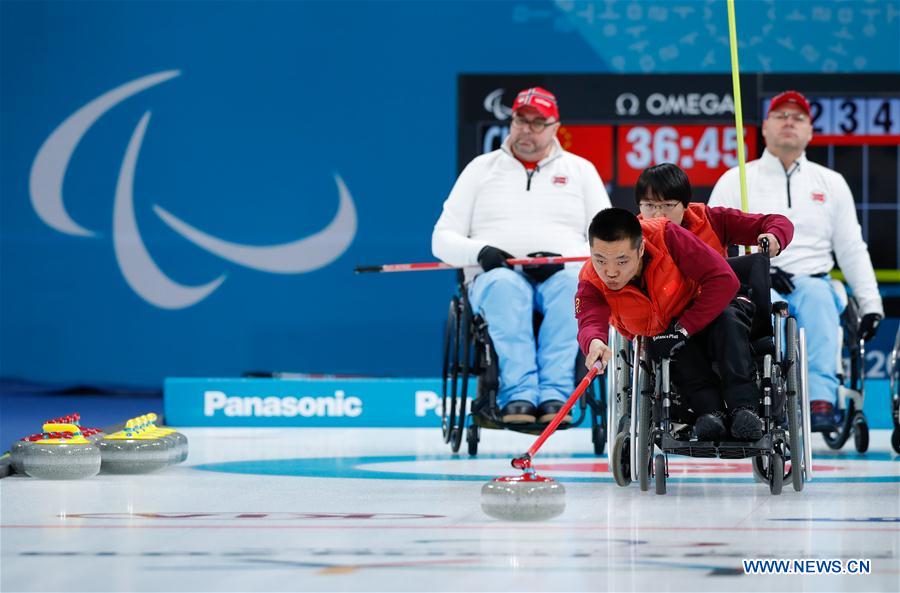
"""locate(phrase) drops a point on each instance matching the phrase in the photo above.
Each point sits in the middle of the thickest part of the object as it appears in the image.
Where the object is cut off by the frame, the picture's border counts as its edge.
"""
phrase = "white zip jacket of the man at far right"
(819, 203)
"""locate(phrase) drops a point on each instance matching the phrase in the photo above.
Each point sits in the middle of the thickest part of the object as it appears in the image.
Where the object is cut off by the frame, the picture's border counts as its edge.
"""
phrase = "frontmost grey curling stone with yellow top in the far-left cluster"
(64, 454)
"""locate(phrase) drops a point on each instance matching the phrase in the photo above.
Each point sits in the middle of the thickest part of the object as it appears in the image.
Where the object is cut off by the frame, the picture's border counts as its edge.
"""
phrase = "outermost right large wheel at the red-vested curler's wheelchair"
(795, 409)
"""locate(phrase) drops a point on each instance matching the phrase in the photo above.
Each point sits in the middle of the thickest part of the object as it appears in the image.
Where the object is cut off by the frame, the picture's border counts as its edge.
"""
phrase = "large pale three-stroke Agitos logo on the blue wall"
(141, 273)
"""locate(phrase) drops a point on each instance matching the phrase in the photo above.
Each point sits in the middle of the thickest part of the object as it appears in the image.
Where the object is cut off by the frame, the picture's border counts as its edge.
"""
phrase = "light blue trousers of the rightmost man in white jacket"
(817, 309)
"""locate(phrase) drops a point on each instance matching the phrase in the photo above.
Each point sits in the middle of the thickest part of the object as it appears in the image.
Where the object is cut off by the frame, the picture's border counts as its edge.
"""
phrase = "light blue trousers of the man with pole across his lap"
(530, 372)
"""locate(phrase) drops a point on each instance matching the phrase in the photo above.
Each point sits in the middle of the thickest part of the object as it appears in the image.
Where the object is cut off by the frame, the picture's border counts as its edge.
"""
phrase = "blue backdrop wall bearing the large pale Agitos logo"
(187, 186)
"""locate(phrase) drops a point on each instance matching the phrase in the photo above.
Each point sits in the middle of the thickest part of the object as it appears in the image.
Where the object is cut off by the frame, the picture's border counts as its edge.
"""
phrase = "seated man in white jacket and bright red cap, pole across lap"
(530, 196)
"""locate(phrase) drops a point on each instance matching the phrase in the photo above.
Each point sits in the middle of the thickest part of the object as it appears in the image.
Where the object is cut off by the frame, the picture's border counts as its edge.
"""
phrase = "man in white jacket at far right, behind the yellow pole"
(819, 203)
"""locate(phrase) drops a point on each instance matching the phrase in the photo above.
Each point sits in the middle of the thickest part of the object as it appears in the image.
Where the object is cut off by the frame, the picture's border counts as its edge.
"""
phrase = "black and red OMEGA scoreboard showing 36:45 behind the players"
(625, 123)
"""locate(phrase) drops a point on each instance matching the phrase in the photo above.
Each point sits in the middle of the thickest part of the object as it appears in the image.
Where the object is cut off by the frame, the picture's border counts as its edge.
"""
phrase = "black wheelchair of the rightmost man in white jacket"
(852, 376)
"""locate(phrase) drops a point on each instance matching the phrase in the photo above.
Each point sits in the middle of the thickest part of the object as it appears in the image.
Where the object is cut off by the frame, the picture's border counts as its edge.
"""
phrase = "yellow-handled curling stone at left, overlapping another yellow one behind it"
(131, 451)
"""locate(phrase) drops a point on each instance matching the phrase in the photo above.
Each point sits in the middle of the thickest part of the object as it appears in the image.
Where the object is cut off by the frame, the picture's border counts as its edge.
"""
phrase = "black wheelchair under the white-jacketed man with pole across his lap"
(469, 353)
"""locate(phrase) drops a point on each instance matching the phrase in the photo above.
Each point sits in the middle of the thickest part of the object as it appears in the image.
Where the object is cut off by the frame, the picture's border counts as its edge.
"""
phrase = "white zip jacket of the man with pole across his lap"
(495, 202)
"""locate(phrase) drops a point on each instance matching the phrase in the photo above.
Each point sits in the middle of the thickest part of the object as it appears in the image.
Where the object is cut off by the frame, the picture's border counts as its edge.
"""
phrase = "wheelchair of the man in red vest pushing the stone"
(651, 422)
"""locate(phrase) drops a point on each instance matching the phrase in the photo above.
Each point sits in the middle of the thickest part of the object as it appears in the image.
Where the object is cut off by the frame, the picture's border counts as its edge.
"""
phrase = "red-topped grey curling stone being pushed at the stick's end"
(528, 497)
